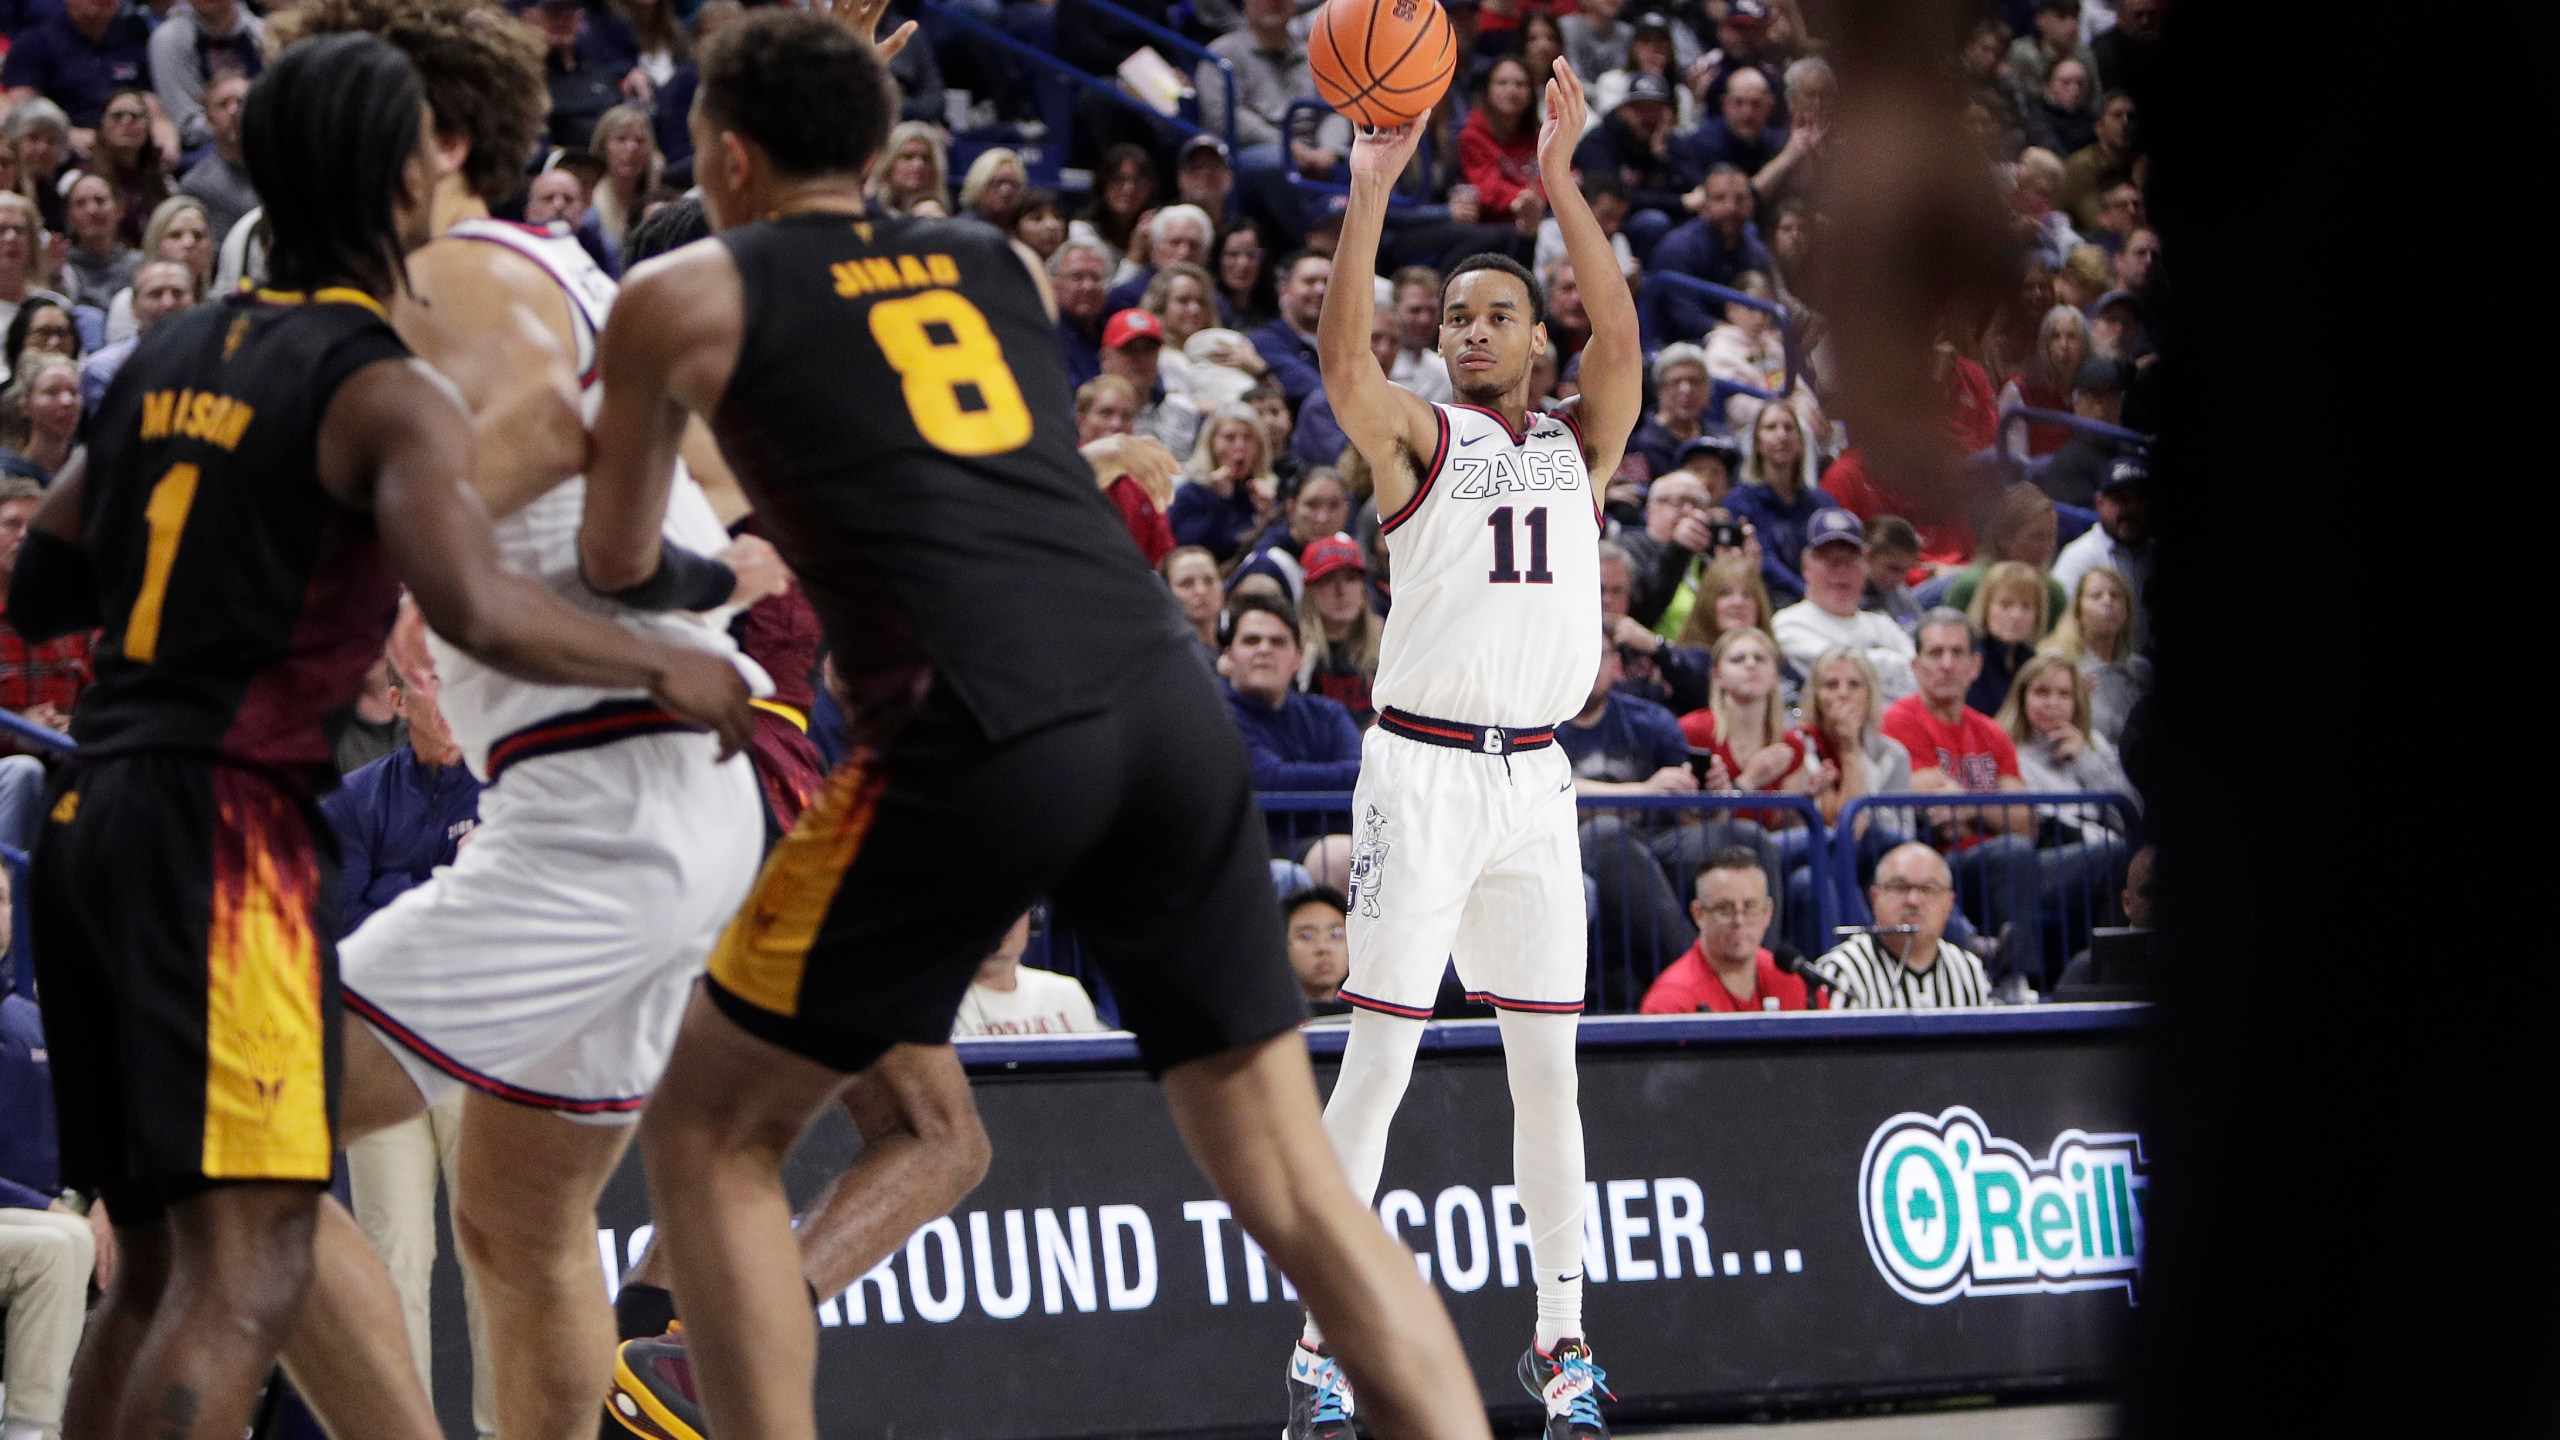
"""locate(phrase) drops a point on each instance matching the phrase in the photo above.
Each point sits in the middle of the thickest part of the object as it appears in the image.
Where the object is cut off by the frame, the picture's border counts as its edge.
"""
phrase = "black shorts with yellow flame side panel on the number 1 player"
(188, 978)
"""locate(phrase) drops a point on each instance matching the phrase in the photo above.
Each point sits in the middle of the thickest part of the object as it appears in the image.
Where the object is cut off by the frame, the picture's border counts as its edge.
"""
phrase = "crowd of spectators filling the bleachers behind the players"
(1773, 598)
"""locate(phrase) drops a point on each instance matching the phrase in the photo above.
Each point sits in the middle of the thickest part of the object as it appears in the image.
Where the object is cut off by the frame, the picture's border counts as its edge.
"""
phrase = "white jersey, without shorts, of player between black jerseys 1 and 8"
(541, 539)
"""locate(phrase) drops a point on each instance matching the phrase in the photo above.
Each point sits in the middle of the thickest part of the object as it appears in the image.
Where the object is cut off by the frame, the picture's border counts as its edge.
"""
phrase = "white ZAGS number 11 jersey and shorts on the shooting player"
(1463, 821)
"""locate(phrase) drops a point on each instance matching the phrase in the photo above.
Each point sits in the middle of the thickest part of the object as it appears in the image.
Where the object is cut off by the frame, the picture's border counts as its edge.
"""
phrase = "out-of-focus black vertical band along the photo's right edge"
(2339, 1244)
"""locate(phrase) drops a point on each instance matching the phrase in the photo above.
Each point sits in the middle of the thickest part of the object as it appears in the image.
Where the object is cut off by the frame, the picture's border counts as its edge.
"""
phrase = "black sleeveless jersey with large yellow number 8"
(902, 419)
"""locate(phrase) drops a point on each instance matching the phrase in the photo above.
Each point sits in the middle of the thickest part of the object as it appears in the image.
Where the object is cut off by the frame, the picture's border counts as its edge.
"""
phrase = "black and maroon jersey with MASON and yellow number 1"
(242, 601)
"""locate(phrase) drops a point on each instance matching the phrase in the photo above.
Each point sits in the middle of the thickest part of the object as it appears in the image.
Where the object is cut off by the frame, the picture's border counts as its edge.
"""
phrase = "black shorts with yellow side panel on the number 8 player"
(908, 870)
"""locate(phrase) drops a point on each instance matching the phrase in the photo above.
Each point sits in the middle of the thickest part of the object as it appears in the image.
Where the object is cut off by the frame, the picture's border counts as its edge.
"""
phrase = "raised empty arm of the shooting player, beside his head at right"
(1614, 357)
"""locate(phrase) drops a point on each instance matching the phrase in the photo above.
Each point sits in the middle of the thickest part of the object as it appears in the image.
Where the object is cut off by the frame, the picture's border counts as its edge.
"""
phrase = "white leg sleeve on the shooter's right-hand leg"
(1548, 1162)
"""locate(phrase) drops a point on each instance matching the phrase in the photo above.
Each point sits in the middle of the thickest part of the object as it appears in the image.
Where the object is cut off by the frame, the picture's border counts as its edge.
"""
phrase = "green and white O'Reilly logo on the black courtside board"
(1955, 1211)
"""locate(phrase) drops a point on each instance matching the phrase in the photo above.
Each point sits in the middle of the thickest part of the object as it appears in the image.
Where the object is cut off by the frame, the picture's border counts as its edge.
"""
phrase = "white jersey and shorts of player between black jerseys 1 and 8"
(554, 960)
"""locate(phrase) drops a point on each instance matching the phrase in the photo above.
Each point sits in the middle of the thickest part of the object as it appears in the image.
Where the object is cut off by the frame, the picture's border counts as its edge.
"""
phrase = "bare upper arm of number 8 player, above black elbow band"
(682, 304)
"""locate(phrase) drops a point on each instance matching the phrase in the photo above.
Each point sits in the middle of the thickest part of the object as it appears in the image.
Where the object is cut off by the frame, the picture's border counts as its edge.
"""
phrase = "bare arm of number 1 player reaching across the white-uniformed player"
(403, 427)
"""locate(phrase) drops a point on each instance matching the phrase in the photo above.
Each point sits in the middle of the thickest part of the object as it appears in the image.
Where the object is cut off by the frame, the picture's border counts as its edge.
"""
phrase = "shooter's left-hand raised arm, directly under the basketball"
(1386, 421)
